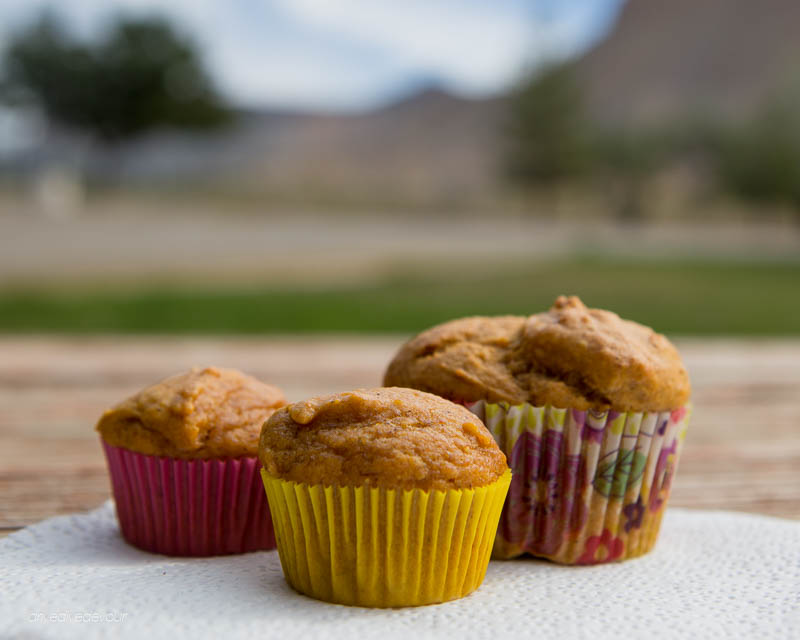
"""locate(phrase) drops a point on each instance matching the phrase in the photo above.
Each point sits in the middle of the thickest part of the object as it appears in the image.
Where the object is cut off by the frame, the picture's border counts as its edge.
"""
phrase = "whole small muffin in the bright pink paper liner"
(182, 456)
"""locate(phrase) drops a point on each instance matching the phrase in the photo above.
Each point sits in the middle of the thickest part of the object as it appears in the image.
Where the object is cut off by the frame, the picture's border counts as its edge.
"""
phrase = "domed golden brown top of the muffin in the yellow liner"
(387, 437)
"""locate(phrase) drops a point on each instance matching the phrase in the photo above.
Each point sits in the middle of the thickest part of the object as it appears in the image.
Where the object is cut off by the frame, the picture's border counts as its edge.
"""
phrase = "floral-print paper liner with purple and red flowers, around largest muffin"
(588, 487)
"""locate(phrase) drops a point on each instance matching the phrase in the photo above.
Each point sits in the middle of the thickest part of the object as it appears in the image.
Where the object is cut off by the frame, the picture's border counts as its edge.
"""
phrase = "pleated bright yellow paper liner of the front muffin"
(377, 547)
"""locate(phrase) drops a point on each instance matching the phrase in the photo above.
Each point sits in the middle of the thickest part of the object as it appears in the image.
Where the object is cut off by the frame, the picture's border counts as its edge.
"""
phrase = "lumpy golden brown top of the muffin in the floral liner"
(569, 356)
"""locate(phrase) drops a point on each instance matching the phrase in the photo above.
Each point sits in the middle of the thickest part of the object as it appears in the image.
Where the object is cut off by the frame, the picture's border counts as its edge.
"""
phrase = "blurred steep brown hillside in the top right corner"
(668, 59)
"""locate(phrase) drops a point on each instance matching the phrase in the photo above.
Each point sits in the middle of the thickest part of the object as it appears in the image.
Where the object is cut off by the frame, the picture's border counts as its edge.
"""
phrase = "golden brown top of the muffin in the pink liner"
(203, 413)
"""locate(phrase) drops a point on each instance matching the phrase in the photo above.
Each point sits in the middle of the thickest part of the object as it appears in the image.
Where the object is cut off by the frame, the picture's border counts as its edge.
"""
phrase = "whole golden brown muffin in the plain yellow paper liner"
(382, 497)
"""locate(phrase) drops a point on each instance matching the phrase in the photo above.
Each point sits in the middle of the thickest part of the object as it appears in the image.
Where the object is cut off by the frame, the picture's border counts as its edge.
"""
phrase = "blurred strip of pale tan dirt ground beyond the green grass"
(130, 242)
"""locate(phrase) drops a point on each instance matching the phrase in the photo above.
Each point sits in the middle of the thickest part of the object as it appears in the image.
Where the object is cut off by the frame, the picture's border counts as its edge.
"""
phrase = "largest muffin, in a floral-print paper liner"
(590, 409)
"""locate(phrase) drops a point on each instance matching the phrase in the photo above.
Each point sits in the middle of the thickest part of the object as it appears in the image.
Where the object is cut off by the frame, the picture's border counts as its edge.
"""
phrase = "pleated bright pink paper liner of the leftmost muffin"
(189, 507)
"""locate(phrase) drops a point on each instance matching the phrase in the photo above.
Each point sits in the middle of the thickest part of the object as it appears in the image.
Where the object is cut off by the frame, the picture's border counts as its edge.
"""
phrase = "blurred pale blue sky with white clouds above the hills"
(354, 54)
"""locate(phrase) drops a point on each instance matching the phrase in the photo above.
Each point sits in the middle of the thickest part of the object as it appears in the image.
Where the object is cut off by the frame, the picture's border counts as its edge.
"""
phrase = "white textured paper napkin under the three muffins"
(712, 575)
